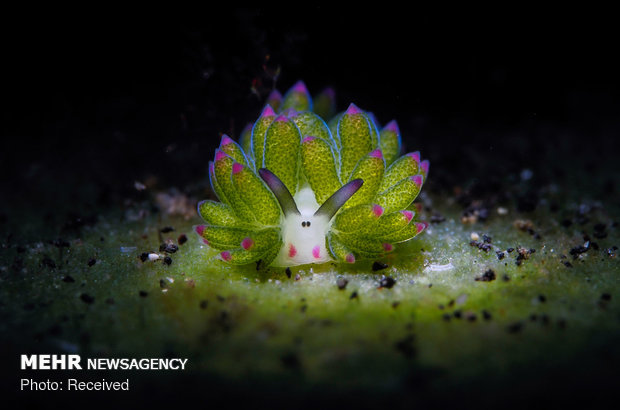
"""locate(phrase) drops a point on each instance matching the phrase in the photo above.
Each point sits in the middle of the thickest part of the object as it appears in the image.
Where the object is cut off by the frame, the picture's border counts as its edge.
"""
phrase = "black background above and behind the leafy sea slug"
(108, 103)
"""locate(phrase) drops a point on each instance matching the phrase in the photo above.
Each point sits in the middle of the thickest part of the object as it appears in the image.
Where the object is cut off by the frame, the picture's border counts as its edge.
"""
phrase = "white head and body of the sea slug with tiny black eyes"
(303, 234)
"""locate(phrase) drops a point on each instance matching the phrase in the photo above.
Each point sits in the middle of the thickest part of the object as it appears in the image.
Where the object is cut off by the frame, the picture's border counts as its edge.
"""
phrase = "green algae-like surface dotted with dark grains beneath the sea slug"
(463, 307)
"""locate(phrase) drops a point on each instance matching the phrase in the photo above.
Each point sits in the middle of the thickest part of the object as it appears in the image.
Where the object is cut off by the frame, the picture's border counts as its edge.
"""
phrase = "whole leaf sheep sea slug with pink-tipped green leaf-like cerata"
(297, 189)
